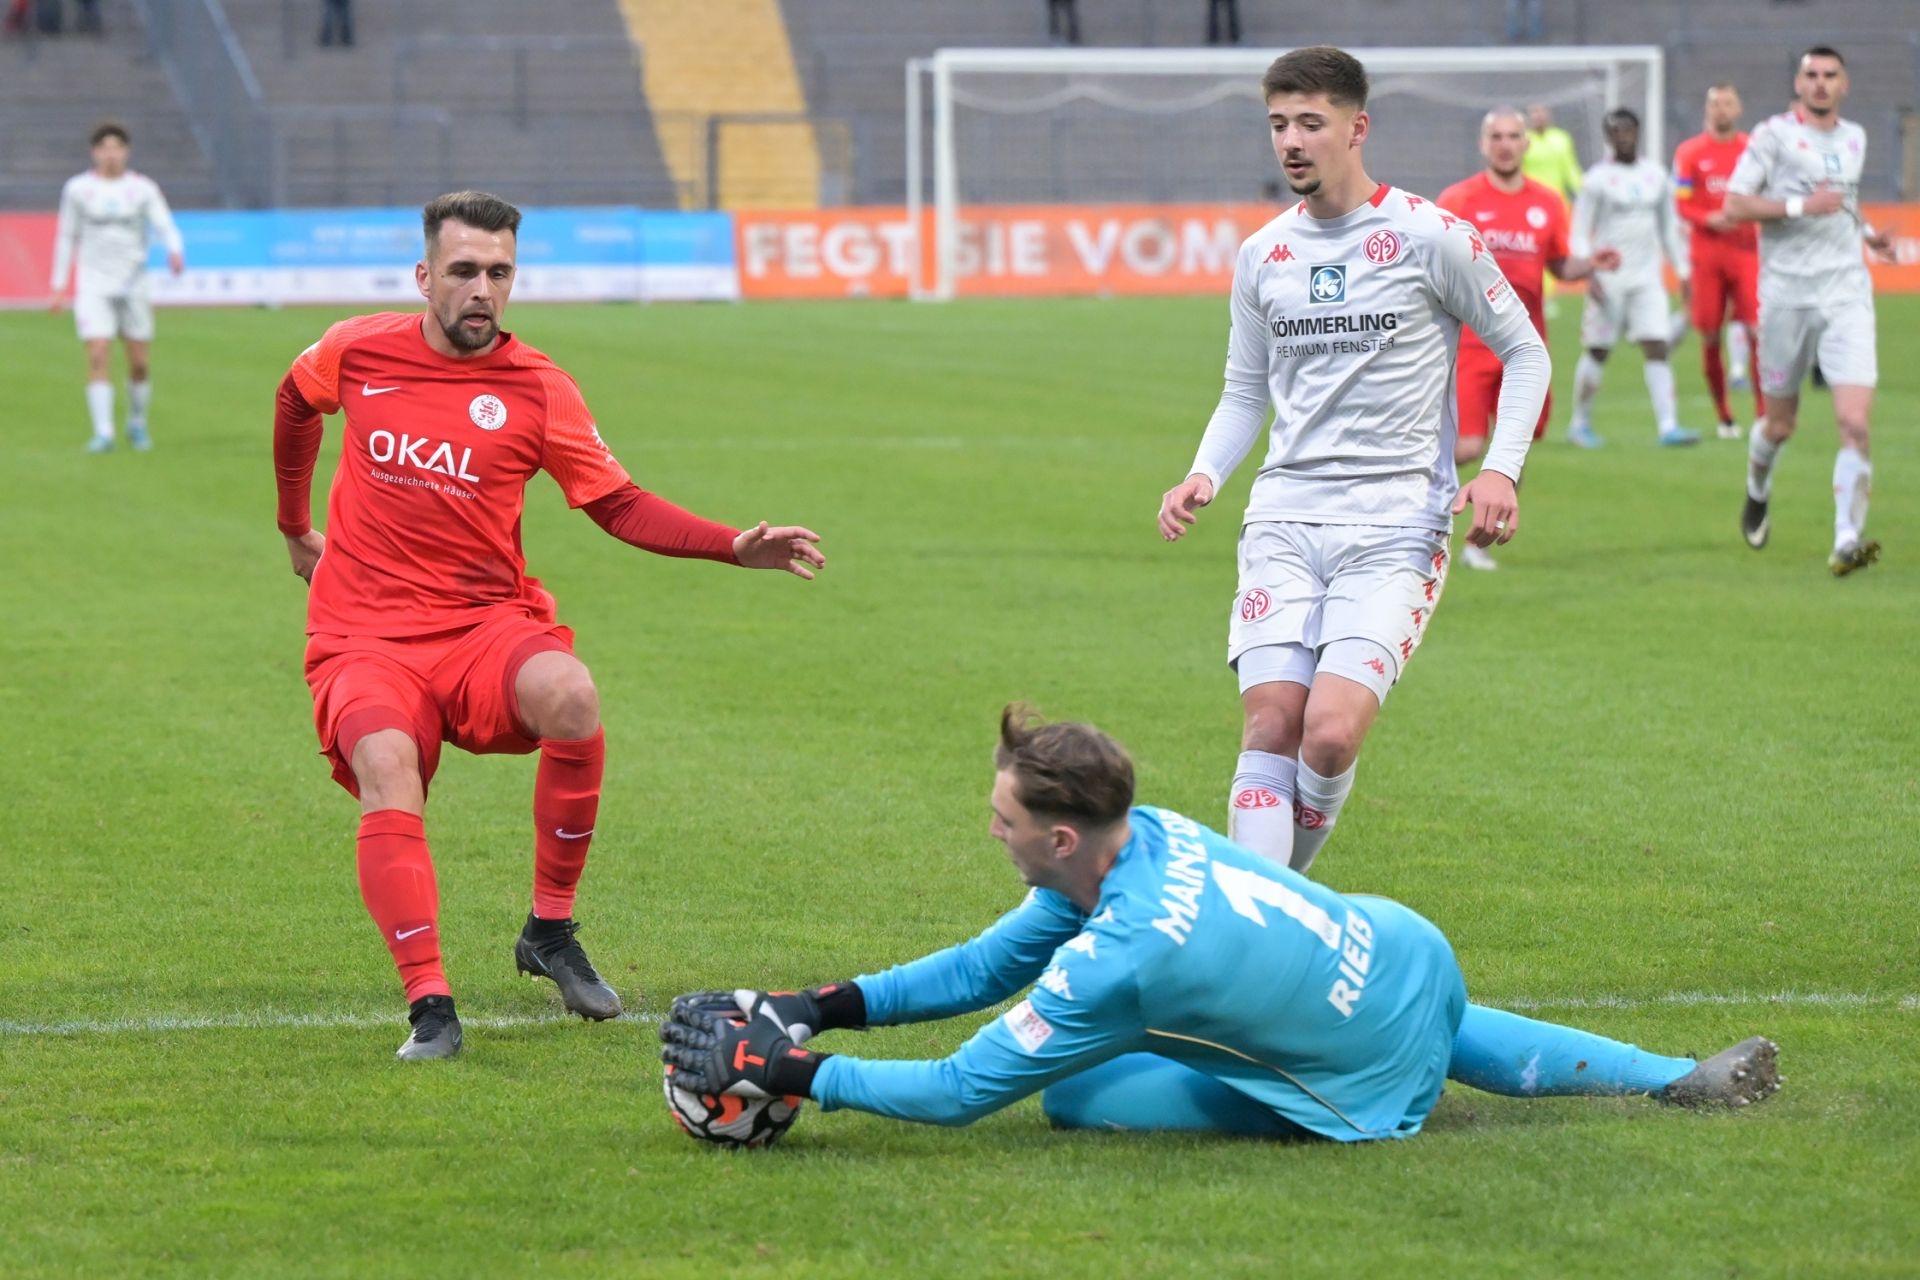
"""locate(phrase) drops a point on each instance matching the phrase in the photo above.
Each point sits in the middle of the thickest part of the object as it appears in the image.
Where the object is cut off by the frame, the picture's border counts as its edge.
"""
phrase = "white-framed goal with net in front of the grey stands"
(1086, 128)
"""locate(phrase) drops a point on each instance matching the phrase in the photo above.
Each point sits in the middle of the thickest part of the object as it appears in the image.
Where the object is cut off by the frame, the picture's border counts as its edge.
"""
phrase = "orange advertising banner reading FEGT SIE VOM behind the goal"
(1068, 250)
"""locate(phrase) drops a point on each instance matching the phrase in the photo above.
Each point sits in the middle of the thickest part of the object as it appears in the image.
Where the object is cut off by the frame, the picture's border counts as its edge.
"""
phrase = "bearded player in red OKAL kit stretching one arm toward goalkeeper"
(421, 621)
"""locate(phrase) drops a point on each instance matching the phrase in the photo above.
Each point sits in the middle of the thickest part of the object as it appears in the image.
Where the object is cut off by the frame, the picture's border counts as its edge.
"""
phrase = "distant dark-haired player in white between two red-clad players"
(1629, 204)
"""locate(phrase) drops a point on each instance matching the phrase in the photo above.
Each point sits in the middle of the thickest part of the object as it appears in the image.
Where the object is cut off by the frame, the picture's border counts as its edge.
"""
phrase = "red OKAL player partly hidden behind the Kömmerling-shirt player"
(1525, 225)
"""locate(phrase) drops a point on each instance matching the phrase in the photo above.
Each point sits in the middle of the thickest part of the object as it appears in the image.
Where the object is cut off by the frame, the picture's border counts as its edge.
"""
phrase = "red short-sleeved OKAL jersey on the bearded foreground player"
(423, 525)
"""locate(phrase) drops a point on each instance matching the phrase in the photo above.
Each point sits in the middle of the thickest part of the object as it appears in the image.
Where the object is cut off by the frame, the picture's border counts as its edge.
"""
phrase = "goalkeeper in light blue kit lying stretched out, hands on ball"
(1180, 982)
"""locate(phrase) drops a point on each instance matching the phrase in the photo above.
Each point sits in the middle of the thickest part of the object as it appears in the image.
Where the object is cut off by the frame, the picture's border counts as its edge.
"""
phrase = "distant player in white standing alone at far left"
(105, 222)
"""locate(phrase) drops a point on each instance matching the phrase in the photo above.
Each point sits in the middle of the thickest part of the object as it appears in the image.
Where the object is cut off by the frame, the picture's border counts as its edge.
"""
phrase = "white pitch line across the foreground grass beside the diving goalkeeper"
(335, 1022)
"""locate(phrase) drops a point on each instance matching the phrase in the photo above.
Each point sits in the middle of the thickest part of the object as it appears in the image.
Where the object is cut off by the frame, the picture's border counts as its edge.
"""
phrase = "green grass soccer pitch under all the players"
(1646, 780)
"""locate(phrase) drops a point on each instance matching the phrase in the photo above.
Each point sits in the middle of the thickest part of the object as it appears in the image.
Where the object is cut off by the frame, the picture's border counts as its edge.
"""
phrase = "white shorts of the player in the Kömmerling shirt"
(1314, 584)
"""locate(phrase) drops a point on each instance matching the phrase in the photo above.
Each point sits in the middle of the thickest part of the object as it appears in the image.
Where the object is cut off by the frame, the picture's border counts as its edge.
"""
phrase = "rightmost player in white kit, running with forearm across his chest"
(1800, 179)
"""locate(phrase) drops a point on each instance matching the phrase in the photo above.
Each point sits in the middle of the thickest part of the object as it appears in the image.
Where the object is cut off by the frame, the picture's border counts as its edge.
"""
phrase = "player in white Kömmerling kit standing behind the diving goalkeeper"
(1347, 314)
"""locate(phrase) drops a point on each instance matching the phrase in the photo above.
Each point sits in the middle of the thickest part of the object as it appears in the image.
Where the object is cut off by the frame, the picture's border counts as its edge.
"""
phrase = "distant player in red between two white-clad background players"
(1727, 256)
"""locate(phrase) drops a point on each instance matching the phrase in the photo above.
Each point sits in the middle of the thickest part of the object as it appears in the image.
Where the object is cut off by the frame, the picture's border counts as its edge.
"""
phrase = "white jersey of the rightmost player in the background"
(1808, 262)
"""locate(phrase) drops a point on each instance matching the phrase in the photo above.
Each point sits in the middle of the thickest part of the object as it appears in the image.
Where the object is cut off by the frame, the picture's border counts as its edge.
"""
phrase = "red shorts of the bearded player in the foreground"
(446, 688)
